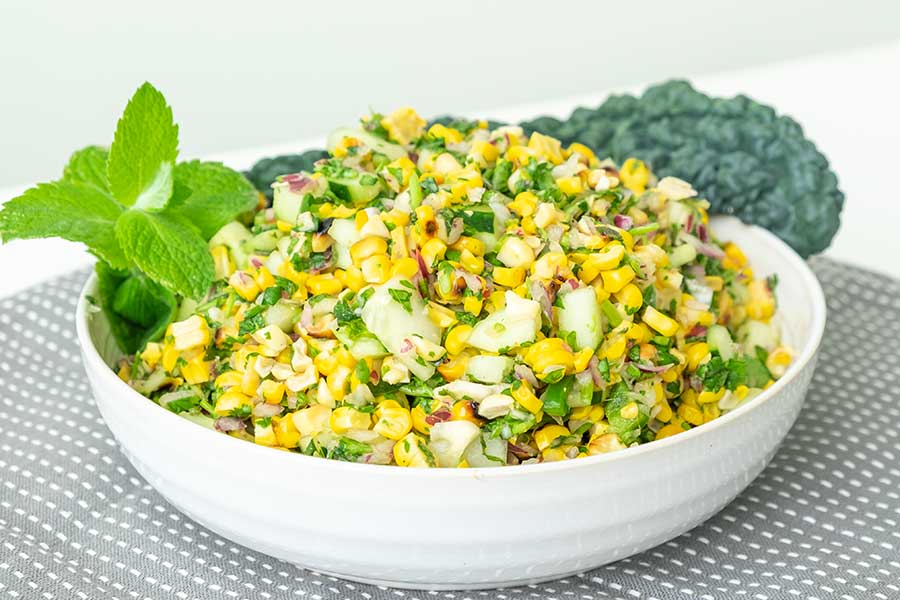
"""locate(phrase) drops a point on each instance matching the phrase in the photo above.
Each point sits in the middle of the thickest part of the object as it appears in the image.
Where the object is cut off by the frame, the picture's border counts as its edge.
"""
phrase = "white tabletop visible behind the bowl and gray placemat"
(846, 102)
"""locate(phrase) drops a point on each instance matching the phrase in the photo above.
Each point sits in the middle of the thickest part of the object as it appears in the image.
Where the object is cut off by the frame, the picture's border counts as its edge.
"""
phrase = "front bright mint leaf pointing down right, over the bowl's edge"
(168, 249)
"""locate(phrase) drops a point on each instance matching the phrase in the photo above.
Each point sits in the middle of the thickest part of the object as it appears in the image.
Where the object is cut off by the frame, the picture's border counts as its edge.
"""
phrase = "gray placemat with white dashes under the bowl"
(76, 521)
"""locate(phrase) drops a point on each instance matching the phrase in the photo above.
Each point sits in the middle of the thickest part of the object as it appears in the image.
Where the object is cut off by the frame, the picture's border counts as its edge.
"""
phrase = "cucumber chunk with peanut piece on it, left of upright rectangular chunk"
(516, 324)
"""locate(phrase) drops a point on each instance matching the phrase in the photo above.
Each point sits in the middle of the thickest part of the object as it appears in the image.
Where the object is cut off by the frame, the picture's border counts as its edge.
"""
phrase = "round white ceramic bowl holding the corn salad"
(465, 528)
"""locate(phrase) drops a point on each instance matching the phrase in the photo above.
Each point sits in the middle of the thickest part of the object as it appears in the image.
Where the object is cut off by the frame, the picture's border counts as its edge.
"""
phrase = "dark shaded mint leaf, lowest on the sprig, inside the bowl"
(137, 309)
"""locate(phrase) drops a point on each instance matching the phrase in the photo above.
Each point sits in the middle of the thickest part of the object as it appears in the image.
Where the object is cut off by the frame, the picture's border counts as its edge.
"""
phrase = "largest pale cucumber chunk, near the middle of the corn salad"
(392, 324)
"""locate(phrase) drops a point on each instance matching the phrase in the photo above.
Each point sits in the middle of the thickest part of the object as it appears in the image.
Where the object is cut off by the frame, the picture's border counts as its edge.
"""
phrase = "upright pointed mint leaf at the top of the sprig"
(143, 151)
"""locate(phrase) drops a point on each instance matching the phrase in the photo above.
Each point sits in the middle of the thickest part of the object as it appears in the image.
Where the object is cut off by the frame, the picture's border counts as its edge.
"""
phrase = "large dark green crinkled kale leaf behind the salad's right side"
(739, 154)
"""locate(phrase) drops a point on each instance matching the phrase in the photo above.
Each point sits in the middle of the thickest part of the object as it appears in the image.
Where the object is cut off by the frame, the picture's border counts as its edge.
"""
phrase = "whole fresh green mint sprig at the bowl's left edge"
(146, 217)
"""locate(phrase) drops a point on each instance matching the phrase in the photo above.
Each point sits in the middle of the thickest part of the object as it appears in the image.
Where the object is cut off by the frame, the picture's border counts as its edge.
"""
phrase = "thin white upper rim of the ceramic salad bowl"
(94, 362)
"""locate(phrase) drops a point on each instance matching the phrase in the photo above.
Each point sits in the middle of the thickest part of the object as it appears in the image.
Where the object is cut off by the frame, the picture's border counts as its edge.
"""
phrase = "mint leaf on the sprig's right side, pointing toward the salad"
(209, 195)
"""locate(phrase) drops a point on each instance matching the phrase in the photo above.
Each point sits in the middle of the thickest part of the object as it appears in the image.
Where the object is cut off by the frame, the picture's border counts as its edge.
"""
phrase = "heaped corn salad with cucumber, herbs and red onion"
(455, 296)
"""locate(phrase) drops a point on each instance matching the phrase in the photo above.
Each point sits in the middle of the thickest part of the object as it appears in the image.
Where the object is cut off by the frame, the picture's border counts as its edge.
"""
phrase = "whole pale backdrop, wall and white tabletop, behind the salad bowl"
(270, 77)
